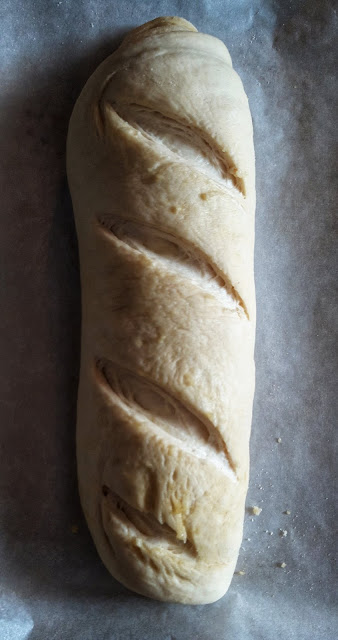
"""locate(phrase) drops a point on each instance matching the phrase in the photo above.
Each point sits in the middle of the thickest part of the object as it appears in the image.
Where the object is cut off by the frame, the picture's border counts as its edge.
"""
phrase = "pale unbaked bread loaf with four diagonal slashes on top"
(161, 172)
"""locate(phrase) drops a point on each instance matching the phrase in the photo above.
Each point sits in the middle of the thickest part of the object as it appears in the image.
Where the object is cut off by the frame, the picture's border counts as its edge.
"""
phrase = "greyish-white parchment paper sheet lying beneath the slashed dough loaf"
(53, 584)
